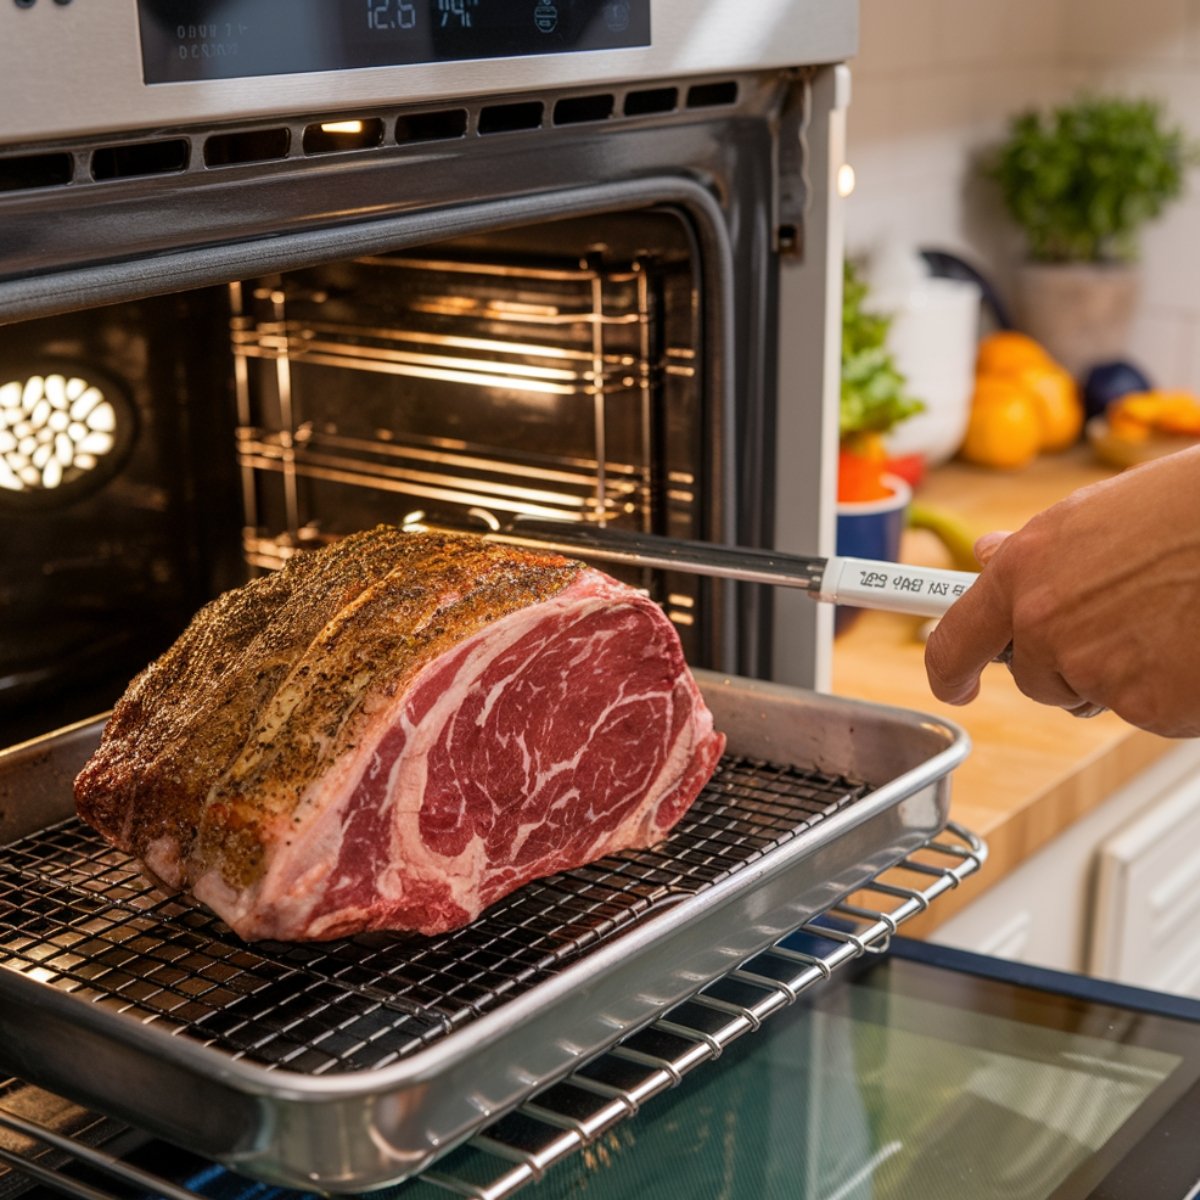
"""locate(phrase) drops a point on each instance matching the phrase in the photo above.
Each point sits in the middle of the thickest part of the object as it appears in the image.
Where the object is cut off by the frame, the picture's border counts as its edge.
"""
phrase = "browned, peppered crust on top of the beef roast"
(269, 683)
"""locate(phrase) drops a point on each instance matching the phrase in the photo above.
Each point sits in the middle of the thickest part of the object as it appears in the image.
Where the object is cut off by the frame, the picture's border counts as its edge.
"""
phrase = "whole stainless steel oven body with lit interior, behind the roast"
(274, 272)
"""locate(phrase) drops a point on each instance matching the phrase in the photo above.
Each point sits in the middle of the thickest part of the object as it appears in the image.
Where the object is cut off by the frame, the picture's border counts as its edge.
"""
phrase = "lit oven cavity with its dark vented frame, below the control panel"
(464, 313)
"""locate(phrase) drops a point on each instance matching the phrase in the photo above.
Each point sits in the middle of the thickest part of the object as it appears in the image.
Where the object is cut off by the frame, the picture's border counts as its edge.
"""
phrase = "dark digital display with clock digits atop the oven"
(190, 40)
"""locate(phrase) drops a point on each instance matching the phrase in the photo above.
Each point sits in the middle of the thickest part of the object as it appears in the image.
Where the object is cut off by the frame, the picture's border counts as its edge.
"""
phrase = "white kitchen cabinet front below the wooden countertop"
(1133, 915)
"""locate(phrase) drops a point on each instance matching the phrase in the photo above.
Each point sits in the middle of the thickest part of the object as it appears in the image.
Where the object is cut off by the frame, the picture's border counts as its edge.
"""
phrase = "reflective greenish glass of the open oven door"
(919, 1083)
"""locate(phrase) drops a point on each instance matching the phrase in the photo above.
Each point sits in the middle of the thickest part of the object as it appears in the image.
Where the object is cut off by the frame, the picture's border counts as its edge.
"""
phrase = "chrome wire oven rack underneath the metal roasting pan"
(584, 1108)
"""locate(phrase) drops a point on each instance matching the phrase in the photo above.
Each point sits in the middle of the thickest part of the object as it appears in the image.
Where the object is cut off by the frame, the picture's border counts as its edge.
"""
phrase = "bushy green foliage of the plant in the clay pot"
(1084, 179)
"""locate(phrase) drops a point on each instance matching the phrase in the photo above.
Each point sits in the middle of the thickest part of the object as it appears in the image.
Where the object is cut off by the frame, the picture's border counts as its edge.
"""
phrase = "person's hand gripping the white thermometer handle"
(1100, 597)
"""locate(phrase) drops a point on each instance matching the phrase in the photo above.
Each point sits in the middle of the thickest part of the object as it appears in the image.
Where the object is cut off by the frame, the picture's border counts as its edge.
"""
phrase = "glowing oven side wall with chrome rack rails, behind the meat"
(544, 375)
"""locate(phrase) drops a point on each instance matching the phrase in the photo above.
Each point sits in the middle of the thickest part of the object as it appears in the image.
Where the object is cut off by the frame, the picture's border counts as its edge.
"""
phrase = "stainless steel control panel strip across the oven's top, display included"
(87, 69)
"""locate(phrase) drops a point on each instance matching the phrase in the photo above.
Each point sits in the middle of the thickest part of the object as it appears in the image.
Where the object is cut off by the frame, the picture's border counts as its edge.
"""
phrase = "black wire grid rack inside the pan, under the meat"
(76, 914)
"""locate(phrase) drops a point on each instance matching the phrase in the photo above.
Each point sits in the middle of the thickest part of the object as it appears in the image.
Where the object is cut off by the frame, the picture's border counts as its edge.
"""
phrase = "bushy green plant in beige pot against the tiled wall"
(1082, 182)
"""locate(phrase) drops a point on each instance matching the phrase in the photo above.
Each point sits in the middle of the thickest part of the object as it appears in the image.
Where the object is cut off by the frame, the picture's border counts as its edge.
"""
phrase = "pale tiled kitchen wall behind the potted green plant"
(935, 83)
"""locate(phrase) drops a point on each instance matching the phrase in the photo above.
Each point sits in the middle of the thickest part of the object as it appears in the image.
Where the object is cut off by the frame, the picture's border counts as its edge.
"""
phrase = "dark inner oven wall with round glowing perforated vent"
(117, 497)
